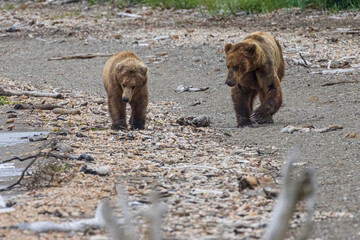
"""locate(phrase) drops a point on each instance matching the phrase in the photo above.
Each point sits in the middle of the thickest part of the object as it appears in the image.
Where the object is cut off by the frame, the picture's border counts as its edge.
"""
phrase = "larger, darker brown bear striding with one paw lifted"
(255, 68)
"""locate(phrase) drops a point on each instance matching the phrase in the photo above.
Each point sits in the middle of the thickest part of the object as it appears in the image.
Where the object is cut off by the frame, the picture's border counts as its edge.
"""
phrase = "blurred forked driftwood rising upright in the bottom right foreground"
(291, 193)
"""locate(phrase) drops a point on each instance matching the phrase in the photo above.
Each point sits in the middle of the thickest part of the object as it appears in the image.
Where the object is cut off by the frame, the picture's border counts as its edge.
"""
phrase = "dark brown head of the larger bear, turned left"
(241, 58)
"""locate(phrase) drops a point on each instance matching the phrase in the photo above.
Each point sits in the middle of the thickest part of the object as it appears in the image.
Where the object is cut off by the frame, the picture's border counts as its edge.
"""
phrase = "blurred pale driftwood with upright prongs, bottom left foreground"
(119, 229)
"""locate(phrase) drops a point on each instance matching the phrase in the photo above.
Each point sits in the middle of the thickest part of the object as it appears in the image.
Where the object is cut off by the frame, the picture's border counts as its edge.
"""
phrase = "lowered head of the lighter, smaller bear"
(132, 75)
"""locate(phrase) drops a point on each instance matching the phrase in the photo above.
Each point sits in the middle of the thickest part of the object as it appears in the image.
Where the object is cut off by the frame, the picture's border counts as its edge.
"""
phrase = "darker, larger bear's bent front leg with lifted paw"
(271, 100)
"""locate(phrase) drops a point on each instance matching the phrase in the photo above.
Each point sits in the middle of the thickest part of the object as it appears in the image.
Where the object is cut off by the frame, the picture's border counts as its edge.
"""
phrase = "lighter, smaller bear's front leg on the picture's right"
(138, 113)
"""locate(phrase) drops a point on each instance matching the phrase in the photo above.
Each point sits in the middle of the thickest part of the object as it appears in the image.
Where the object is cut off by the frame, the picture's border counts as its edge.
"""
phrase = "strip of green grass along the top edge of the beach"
(227, 7)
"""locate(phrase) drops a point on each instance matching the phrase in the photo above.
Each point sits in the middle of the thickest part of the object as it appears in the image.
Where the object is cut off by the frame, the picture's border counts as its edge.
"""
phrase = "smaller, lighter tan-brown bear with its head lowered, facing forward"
(125, 80)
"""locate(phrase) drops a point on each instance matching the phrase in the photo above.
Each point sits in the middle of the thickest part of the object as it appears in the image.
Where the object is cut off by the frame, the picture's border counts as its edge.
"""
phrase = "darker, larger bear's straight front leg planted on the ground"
(243, 104)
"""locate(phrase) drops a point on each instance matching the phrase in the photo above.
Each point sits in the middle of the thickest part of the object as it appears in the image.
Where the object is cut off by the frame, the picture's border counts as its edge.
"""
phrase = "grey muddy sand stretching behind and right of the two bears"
(185, 47)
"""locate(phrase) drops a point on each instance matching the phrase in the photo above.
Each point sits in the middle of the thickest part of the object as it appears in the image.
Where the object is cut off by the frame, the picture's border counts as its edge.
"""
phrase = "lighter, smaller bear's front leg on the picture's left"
(117, 109)
